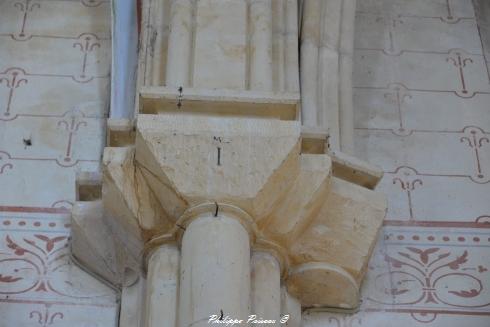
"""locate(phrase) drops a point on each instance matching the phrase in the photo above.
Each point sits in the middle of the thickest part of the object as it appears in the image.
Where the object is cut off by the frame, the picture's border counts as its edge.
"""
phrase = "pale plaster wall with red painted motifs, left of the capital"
(54, 94)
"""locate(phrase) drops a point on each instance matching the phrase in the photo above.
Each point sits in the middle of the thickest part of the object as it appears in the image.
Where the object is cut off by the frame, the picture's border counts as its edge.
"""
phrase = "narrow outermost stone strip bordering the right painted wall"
(346, 61)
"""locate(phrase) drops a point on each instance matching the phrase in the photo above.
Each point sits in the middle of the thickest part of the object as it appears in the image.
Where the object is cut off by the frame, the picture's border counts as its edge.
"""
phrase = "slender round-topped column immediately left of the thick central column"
(162, 287)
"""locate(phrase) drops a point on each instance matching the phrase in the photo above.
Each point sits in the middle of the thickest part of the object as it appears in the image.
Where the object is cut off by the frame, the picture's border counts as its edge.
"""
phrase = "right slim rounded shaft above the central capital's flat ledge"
(260, 45)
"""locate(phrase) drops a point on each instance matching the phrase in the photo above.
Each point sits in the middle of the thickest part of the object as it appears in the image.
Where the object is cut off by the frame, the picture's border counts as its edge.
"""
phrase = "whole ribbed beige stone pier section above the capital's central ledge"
(241, 45)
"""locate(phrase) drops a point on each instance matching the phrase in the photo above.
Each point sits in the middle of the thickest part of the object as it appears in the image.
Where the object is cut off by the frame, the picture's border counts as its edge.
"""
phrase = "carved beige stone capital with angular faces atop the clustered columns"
(320, 227)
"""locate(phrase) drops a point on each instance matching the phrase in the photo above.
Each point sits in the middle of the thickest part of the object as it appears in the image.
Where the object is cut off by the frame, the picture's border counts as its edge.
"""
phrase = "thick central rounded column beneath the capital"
(215, 270)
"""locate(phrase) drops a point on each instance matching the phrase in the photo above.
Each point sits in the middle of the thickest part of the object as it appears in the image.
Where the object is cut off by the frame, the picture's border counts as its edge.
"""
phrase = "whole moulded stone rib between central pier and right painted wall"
(327, 37)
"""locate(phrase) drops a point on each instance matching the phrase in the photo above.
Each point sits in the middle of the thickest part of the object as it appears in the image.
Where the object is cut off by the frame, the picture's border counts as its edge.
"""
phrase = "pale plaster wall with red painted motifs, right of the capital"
(422, 112)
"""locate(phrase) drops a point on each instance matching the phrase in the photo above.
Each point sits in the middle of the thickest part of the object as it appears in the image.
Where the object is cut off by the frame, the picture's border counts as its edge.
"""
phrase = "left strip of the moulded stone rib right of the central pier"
(310, 37)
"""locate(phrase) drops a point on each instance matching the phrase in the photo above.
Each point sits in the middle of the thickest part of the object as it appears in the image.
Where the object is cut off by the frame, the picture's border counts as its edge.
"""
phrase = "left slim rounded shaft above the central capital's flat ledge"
(180, 43)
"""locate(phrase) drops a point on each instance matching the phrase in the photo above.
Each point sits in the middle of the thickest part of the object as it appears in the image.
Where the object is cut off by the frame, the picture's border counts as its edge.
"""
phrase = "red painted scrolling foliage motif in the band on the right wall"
(426, 276)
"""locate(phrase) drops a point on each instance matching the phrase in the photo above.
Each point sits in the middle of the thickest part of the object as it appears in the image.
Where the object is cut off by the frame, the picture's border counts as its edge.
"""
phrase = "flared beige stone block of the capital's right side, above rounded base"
(344, 230)
